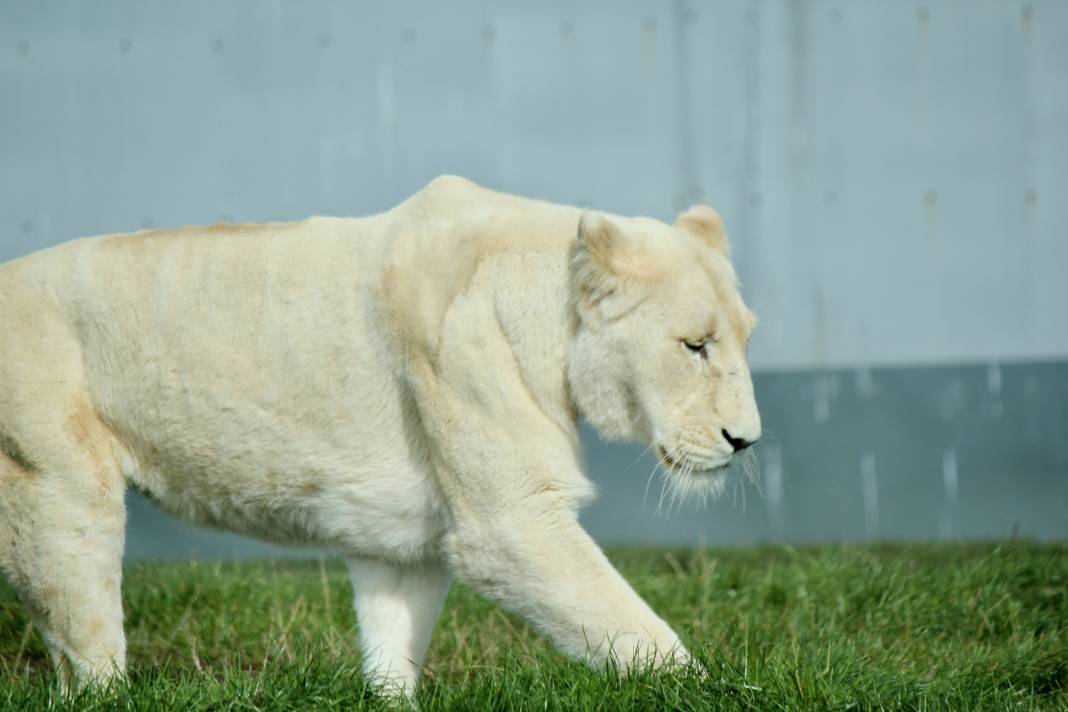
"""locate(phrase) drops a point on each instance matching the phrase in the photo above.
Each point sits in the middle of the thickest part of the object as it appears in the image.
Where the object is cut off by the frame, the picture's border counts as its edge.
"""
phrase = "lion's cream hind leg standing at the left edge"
(62, 528)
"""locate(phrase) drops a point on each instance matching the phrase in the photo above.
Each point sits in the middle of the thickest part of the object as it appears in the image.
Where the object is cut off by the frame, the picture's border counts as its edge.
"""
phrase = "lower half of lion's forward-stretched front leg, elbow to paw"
(539, 563)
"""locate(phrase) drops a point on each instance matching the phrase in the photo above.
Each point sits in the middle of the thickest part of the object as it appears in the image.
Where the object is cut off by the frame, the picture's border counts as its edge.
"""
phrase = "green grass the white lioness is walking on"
(835, 628)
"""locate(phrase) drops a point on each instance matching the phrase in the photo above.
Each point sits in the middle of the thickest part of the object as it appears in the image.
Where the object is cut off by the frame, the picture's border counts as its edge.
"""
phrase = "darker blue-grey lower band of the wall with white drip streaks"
(973, 452)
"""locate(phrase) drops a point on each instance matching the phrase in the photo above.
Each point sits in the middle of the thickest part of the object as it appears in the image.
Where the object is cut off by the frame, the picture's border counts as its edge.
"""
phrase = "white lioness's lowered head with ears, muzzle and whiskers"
(661, 344)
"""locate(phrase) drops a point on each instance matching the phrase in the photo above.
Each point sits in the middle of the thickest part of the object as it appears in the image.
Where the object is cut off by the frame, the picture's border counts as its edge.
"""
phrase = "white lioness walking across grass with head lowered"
(405, 389)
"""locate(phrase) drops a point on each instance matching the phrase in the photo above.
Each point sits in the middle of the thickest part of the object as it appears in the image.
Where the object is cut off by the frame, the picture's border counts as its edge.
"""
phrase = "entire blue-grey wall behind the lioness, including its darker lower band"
(893, 177)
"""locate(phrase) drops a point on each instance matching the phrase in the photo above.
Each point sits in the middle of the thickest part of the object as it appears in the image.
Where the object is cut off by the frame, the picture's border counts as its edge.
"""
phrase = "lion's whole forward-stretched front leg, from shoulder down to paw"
(510, 474)
